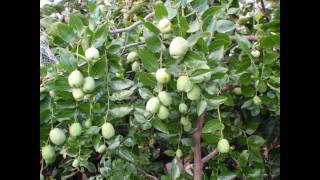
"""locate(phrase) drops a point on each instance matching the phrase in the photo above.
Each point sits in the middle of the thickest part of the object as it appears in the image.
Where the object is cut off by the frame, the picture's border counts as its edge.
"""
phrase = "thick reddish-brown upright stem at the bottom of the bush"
(197, 148)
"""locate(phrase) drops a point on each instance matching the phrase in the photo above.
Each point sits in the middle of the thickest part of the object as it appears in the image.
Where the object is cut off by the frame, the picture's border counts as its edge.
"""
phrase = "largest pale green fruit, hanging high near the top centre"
(178, 48)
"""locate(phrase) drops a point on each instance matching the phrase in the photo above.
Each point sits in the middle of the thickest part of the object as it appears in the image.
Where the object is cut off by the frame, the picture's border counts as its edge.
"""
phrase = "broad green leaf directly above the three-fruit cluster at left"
(67, 60)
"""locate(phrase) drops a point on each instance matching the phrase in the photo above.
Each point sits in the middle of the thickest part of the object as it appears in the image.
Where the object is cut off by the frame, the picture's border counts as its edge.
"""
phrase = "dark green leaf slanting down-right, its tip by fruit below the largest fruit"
(148, 59)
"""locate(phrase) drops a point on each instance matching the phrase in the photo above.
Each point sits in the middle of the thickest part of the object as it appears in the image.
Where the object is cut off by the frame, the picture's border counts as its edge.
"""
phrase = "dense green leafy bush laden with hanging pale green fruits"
(125, 103)
